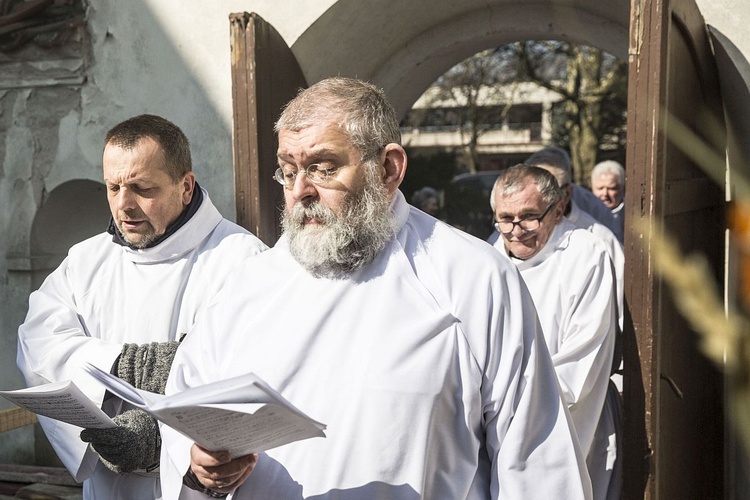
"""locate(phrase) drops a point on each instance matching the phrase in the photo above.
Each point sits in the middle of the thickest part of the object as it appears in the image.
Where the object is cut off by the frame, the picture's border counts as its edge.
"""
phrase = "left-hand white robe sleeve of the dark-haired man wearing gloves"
(53, 345)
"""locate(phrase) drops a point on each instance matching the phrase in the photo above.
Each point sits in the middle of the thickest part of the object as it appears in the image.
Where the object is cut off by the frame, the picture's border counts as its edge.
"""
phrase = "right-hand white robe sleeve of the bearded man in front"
(529, 431)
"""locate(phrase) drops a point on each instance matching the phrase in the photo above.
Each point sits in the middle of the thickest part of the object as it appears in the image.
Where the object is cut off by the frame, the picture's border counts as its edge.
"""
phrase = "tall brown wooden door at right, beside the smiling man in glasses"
(674, 419)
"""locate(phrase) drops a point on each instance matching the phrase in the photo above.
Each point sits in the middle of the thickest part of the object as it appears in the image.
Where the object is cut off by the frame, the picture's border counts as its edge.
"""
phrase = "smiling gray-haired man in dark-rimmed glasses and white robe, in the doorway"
(571, 279)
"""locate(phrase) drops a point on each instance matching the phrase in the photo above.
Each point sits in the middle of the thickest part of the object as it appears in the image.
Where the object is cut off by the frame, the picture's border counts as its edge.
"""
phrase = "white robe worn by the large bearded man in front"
(427, 366)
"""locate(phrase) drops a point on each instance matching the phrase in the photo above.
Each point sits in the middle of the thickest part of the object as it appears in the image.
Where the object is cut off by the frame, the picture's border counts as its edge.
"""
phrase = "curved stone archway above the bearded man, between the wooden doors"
(419, 44)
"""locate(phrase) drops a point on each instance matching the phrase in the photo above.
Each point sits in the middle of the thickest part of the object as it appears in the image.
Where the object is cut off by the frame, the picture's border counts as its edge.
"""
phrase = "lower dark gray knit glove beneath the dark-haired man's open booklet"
(134, 444)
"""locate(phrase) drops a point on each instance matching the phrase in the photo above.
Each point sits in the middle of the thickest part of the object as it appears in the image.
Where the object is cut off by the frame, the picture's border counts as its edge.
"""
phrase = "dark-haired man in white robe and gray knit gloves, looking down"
(121, 301)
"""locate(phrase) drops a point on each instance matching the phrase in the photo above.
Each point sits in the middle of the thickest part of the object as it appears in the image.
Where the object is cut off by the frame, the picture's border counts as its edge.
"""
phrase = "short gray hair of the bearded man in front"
(359, 108)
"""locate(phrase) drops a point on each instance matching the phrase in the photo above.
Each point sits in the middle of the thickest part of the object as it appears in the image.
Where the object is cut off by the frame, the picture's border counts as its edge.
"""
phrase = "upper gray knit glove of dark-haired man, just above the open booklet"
(147, 366)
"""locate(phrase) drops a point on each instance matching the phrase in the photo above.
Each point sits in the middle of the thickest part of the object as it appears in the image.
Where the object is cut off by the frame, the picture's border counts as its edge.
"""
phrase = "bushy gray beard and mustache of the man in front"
(340, 244)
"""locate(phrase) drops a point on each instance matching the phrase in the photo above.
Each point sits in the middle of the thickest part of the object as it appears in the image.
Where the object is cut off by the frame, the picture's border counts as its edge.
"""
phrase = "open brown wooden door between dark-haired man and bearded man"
(265, 76)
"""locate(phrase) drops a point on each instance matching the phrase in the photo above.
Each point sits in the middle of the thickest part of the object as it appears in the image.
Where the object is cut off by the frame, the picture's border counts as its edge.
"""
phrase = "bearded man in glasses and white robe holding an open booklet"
(417, 345)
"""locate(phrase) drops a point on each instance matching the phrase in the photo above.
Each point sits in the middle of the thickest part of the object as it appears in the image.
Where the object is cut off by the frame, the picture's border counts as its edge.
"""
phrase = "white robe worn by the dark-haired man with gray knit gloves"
(104, 295)
